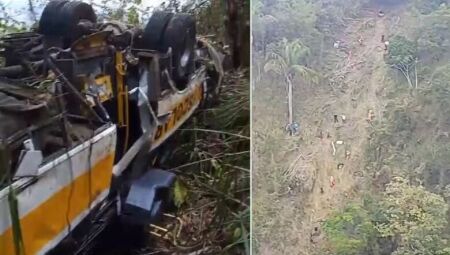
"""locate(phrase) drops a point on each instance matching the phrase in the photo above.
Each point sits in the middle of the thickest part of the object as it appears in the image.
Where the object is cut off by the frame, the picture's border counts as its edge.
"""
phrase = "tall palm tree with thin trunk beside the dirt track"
(286, 61)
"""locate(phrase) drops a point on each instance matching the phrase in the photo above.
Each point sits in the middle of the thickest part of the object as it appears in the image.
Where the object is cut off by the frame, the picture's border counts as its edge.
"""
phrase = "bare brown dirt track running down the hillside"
(359, 89)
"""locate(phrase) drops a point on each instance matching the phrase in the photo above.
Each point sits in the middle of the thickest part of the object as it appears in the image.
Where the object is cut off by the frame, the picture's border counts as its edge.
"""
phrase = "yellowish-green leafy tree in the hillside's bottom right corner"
(414, 217)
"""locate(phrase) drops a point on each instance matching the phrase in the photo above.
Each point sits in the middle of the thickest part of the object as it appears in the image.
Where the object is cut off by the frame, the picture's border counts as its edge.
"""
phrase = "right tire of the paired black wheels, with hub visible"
(180, 35)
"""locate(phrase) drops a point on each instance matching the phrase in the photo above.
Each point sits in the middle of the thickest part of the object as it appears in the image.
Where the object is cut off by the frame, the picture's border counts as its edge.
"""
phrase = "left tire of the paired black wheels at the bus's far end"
(154, 30)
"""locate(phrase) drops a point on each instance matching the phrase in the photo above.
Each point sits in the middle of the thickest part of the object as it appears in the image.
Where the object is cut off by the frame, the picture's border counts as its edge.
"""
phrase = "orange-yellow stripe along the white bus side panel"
(49, 219)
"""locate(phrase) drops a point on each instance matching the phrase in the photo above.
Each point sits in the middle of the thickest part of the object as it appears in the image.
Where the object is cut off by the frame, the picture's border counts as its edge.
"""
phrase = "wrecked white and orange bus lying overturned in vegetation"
(83, 105)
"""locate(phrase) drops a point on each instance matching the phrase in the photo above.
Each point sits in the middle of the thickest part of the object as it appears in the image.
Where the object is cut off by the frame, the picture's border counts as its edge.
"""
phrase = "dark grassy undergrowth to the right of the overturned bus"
(216, 144)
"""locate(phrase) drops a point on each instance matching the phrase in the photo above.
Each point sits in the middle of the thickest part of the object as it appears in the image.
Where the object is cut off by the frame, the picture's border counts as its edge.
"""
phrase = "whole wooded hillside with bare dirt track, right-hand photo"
(368, 170)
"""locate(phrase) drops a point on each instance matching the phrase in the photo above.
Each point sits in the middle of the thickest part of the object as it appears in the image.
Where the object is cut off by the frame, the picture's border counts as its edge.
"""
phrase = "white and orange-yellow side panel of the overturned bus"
(61, 195)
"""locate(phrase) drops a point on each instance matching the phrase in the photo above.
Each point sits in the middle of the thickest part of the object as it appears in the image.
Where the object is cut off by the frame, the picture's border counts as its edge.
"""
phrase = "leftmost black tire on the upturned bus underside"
(60, 18)
